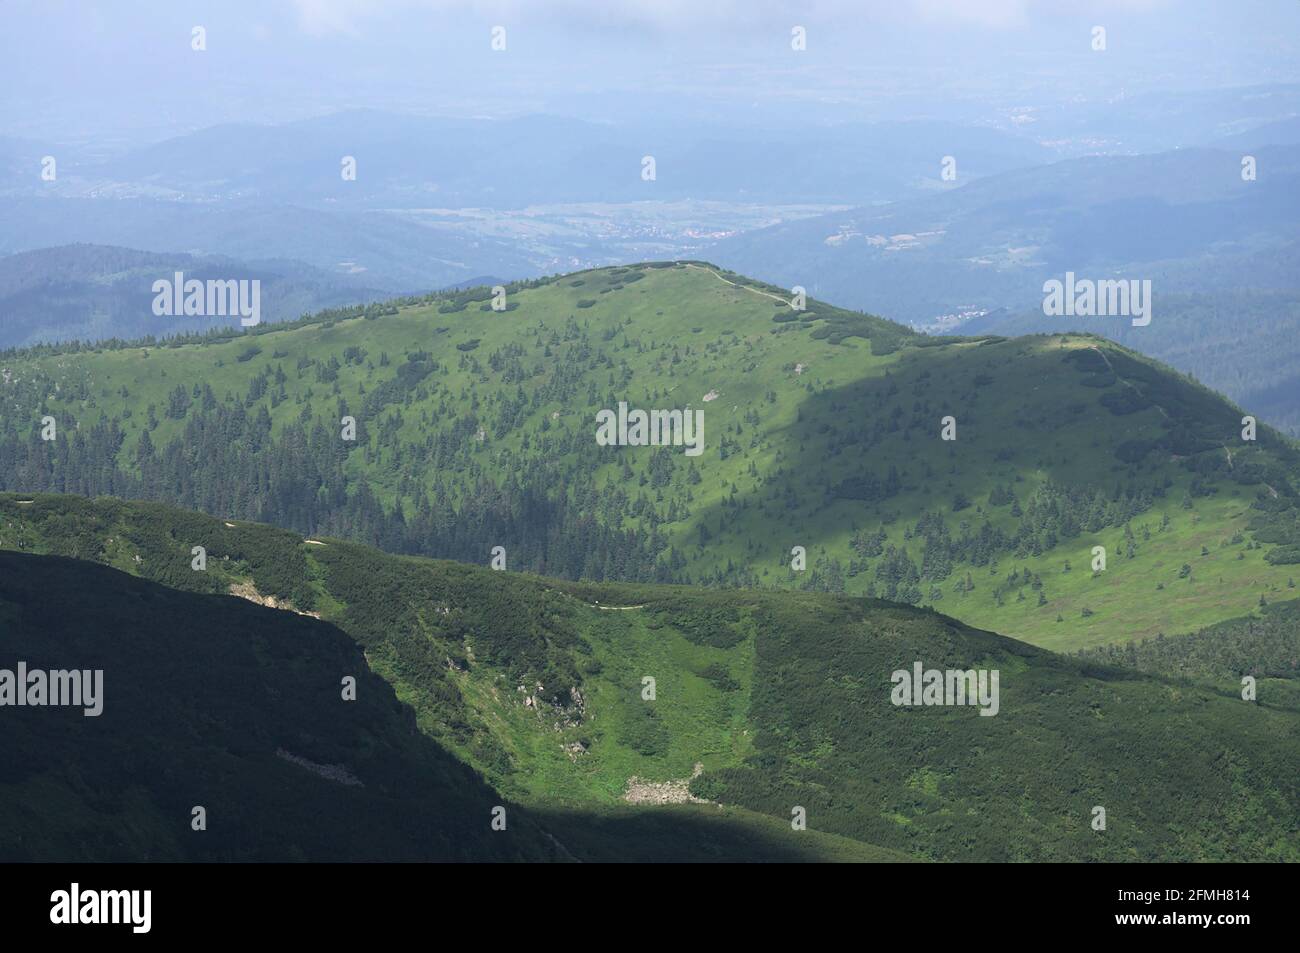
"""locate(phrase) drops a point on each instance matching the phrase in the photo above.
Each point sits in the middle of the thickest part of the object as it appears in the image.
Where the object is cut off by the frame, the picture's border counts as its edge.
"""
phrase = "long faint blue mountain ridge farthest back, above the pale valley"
(421, 162)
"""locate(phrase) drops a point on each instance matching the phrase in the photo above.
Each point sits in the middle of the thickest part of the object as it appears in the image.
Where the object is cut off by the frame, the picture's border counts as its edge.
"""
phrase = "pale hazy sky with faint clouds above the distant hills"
(125, 72)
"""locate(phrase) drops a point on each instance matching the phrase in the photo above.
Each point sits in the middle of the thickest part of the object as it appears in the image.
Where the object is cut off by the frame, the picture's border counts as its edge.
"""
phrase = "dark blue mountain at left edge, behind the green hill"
(90, 293)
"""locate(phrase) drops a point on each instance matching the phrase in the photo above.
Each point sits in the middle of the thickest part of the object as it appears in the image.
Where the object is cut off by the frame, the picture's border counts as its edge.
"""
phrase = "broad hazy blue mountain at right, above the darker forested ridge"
(1186, 220)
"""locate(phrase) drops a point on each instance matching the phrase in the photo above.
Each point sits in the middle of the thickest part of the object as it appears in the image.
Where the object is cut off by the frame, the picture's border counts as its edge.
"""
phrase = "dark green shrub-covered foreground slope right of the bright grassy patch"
(1068, 737)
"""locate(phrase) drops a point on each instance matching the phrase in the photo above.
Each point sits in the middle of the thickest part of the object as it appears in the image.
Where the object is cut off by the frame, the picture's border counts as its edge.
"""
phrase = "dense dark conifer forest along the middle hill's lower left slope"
(228, 463)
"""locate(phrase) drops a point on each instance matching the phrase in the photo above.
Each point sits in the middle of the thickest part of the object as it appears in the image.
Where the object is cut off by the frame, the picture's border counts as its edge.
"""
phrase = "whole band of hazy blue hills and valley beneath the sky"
(437, 202)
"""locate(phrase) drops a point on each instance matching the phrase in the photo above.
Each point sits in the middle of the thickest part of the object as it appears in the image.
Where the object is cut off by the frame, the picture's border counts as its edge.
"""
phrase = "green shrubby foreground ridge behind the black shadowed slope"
(782, 700)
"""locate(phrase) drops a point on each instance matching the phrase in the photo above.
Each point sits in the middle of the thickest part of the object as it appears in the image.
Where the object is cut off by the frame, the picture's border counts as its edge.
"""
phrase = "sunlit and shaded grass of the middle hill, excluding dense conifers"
(671, 336)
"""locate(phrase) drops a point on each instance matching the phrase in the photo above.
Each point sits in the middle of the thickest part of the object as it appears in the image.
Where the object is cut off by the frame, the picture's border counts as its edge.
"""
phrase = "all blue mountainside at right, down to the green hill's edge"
(1223, 255)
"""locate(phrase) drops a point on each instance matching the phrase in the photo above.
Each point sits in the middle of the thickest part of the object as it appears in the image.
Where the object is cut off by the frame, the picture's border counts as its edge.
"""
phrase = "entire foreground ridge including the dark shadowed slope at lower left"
(762, 703)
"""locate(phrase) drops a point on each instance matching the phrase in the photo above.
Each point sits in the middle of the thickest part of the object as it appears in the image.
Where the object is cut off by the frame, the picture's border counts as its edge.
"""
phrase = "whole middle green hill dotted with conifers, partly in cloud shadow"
(476, 430)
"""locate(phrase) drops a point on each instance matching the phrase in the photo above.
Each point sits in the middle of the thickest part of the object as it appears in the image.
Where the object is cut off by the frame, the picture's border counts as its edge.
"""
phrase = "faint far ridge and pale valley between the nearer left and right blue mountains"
(436, 202)
